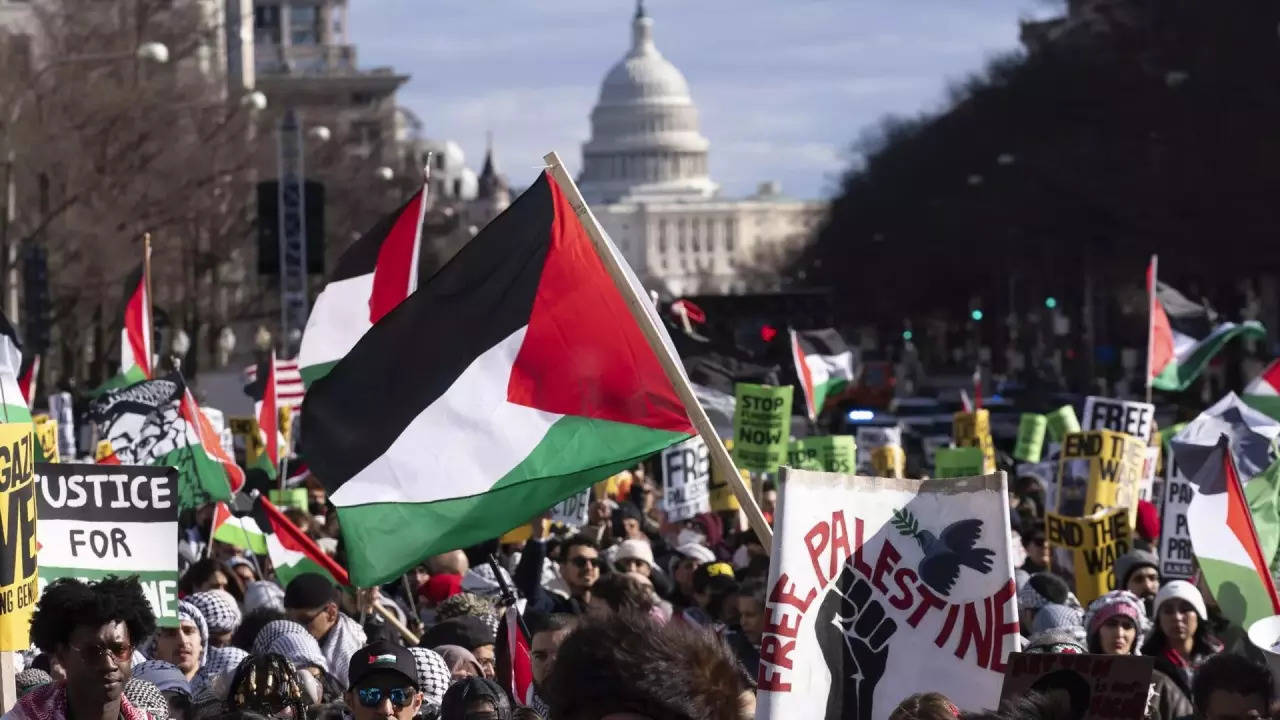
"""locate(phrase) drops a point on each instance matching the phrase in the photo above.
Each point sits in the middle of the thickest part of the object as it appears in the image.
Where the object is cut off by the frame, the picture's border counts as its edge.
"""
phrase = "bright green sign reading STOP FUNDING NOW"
(762, 427)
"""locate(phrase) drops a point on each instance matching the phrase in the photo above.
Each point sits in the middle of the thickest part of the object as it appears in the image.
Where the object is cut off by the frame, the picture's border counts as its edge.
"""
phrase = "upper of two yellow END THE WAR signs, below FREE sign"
(1100, 470)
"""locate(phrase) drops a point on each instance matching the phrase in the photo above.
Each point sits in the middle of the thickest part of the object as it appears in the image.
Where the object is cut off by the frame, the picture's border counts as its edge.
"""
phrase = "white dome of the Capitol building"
(646, 143)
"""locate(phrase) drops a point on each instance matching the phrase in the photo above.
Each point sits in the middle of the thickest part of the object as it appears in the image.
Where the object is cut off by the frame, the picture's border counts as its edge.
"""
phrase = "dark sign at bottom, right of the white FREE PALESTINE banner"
(1098, 687)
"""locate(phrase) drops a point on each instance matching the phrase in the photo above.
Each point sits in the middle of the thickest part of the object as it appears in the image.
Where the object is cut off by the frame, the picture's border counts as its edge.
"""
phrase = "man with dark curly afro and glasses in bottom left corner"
(92, 630)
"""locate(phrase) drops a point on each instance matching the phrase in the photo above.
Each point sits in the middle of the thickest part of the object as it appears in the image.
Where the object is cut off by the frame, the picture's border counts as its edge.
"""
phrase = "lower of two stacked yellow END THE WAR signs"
(1095, 543)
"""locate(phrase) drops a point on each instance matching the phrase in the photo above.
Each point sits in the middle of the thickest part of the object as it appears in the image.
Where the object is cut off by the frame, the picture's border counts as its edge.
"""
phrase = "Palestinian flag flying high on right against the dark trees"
(1186, 336)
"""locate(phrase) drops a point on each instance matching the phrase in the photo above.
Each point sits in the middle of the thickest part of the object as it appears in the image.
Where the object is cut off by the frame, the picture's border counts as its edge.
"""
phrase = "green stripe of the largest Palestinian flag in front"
(387, 539)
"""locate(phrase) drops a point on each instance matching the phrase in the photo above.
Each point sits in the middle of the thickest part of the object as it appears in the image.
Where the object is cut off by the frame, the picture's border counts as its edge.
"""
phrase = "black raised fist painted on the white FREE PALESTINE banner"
(853, 632)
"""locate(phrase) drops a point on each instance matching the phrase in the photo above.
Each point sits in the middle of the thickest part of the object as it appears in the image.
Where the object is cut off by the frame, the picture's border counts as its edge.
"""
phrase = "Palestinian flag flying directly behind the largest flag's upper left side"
(373, 276)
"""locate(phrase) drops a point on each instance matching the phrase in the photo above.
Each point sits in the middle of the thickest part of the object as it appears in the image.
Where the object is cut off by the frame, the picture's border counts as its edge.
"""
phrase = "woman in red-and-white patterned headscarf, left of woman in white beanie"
(1117, 625)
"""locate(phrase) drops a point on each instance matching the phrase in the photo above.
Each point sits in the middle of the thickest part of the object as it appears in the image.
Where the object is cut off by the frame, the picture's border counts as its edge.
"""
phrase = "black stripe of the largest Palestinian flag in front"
(415, 354)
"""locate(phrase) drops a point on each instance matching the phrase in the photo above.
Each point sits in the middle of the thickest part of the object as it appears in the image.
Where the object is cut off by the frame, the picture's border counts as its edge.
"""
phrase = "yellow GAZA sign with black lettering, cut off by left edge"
(19, 584)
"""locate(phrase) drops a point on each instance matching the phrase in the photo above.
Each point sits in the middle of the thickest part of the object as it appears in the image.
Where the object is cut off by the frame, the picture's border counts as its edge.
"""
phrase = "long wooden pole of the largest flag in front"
(638, 303)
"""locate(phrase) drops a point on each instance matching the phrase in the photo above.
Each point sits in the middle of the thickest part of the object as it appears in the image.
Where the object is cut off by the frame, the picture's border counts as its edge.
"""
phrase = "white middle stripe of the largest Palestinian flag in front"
(460, 445)
